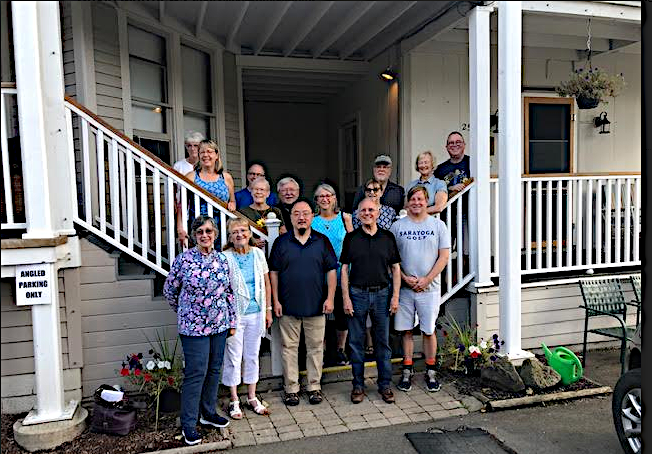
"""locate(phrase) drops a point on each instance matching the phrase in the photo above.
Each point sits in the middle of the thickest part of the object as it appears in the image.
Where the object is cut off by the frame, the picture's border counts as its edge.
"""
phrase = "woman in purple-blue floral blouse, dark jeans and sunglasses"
(199, 290)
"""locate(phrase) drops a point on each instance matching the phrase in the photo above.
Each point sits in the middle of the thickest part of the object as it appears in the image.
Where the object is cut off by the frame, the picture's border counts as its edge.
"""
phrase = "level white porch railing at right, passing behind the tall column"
(575, 222)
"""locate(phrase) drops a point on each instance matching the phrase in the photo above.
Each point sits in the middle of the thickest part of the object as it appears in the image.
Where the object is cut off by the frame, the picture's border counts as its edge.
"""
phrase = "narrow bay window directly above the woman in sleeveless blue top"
(197, 94)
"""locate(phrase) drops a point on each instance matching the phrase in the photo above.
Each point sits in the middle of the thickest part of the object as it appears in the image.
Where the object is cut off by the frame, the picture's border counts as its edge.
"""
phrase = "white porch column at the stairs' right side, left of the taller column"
(479, 90)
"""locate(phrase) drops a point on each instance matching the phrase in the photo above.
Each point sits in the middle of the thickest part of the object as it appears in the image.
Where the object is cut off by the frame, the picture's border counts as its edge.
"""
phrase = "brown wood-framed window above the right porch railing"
(548, 135)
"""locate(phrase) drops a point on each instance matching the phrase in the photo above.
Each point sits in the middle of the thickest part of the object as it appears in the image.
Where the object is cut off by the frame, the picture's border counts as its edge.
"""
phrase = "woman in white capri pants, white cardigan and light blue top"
(252, 291)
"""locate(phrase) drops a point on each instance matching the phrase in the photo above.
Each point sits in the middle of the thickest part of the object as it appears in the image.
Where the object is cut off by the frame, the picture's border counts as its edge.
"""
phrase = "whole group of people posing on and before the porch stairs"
(356, 269)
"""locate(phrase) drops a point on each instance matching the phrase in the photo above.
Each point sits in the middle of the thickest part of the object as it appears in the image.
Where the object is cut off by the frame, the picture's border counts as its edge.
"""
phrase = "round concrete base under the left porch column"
(49, 435)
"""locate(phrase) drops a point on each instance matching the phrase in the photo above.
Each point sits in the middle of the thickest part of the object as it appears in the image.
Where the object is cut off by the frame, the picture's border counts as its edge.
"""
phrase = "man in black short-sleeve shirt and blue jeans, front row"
(368, 253)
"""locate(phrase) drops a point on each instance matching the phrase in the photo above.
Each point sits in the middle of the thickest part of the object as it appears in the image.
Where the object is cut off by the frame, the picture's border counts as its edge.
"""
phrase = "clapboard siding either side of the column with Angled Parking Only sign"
(17, 348)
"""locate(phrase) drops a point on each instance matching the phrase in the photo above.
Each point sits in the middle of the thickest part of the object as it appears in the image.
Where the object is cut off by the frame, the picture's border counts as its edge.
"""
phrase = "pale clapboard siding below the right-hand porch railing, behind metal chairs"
(549, 314)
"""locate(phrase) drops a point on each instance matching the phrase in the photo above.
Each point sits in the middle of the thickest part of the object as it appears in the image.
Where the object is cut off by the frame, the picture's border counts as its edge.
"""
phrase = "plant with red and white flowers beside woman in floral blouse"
(159, 377)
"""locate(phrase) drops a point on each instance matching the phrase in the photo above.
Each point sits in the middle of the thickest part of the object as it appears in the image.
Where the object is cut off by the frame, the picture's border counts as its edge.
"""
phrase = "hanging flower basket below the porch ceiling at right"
(590, 87)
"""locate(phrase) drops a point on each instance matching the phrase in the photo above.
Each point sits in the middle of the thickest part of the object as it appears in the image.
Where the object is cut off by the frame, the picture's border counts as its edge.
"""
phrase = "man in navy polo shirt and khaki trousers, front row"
(298, 263)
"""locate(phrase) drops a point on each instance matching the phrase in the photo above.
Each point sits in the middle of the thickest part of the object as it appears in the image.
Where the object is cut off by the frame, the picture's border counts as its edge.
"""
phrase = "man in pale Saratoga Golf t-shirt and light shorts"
(424, 244)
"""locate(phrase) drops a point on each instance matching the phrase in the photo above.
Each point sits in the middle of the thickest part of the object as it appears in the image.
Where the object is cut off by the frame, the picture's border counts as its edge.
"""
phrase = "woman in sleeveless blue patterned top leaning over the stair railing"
(208, 174)
